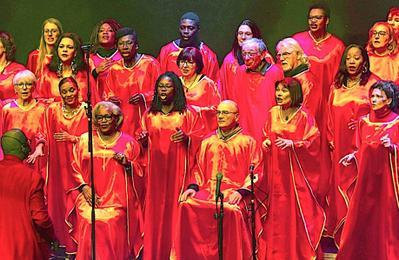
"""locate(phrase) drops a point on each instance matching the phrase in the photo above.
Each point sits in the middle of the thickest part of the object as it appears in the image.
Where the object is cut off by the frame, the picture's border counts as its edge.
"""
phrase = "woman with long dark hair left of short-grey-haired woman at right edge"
(348, 102)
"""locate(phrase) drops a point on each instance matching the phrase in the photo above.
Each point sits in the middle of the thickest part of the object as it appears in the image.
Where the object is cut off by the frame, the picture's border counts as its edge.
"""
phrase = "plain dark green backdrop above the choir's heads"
(156, 21)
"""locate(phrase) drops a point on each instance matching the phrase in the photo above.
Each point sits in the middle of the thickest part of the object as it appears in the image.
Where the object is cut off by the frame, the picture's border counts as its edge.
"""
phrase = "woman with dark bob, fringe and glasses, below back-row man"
(200, 91)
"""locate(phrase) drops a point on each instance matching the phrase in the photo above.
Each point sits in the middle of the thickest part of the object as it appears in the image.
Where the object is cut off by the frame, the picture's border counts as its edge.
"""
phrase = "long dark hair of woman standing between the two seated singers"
(179, 99)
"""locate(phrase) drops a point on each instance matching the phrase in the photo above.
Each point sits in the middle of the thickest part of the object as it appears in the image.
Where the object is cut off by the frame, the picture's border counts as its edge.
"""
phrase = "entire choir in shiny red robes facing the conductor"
(317, 124)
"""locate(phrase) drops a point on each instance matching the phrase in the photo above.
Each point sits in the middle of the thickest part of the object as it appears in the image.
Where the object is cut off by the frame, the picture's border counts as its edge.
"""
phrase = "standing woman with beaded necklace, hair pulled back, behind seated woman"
(65, 122)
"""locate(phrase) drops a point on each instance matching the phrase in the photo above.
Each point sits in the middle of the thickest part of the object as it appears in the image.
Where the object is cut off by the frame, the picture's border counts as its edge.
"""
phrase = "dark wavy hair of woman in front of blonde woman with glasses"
(78, 60)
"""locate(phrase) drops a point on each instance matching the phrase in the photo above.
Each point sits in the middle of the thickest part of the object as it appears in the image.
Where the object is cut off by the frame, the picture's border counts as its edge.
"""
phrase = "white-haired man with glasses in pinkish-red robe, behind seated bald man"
(254, 87)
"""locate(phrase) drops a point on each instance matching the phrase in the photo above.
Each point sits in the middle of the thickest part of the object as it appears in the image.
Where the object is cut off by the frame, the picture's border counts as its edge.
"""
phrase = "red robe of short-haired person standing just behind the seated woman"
(125, 82)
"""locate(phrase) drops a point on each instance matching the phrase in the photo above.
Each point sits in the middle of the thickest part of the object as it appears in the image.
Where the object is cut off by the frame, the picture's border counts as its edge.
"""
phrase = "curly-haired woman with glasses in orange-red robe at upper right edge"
(384, 57)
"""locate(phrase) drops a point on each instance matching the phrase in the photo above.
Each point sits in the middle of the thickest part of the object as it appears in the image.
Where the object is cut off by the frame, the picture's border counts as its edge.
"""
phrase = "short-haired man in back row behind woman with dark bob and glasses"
(189, 30)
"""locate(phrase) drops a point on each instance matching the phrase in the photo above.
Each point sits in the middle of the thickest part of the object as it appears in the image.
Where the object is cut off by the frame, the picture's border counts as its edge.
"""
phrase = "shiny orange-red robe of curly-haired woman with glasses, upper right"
(386, 67)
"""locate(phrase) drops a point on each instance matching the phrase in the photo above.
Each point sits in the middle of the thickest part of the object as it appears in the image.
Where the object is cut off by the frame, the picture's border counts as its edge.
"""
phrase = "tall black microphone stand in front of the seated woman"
(86, 50)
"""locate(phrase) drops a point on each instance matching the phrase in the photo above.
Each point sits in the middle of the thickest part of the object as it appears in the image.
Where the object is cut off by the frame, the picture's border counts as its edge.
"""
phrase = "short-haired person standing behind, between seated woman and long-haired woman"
(130, 81)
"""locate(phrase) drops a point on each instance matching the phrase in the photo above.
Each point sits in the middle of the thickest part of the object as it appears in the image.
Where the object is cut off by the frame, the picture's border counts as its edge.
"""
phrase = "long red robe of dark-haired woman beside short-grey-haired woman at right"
(344, 105)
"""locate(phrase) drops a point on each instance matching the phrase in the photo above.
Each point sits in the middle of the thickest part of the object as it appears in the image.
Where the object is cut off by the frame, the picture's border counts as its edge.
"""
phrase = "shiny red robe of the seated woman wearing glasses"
(118, 215)
